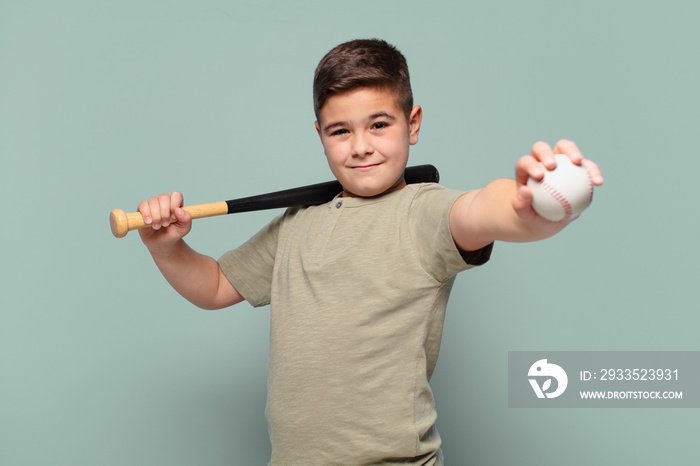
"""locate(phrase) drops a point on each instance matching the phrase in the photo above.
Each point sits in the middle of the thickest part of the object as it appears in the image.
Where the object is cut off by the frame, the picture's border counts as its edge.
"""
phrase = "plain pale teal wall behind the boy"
(103, 104)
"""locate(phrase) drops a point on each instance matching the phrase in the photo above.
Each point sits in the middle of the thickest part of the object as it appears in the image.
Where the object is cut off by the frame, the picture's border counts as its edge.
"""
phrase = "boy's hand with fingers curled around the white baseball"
(529, 166)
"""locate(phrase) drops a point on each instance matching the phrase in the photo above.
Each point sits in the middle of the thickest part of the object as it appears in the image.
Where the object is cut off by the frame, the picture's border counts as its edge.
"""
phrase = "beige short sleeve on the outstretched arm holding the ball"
(432, 240)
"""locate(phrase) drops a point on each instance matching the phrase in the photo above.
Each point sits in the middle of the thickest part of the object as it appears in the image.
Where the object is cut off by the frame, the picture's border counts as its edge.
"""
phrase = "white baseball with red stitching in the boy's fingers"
(563, 193)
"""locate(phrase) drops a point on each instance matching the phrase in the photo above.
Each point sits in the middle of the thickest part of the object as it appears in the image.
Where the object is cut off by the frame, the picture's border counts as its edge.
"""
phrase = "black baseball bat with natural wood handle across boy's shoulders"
(315, 194)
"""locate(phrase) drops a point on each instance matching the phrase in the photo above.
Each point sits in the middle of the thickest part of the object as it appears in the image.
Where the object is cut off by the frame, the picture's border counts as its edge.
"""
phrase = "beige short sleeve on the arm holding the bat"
(249, 267)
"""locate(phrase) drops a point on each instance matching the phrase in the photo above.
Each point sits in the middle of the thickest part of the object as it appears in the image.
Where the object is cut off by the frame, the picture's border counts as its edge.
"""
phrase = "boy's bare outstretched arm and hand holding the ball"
(502, 209)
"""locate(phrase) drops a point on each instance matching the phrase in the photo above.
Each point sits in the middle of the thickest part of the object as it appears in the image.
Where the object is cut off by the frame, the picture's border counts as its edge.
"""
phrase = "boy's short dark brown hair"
(363, 63)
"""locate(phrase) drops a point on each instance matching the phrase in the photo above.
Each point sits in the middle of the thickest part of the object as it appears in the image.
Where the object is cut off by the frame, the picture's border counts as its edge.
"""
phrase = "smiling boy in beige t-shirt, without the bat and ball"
(358, 287)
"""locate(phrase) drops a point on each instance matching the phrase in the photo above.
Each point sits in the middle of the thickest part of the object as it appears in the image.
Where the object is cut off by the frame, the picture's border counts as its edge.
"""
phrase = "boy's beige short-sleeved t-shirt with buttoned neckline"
(358, 289)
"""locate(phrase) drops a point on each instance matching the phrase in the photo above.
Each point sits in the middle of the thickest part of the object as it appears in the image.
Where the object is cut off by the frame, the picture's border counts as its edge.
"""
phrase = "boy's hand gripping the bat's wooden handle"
(169, 222)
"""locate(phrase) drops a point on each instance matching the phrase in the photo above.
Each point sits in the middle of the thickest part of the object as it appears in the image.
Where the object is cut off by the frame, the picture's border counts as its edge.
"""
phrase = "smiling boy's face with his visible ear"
(366, 137)
